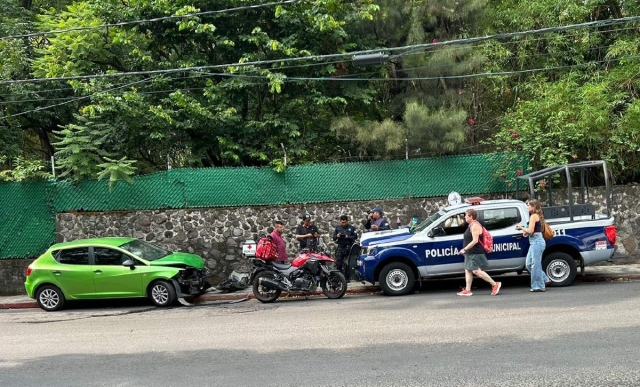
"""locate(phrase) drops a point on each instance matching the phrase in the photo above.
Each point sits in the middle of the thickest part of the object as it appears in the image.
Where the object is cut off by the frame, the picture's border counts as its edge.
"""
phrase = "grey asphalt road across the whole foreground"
(583, 335)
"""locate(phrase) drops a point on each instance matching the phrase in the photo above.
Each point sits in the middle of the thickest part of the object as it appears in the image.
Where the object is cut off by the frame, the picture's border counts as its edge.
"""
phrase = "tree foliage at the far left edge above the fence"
(25, 138)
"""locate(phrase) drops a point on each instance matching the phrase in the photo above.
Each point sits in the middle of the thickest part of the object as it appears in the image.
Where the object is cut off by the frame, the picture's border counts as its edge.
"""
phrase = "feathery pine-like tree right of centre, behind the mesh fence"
(425, 109)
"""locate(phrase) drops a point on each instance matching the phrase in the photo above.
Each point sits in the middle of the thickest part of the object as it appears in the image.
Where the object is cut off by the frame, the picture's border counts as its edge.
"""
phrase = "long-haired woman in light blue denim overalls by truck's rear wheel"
(536, 246)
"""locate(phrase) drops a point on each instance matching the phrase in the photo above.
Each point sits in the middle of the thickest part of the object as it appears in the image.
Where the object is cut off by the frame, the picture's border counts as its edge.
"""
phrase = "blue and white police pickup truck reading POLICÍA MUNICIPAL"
(396, 259)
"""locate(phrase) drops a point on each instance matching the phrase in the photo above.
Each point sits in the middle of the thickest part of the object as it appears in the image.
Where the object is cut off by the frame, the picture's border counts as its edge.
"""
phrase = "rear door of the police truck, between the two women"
(509, 246)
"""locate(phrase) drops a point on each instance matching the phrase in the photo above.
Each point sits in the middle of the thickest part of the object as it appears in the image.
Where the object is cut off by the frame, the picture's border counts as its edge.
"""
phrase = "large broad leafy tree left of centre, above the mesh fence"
(227, 116)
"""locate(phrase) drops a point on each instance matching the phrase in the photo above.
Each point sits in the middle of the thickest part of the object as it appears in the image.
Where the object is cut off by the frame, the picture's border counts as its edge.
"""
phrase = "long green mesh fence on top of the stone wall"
(27, 210)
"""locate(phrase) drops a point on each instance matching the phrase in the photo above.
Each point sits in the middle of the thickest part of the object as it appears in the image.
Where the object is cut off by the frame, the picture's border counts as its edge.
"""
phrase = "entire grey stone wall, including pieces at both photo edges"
(217, 234)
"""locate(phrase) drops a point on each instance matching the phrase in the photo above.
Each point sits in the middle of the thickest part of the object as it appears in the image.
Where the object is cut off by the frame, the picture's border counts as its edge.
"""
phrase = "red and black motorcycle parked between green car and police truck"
(310, 269)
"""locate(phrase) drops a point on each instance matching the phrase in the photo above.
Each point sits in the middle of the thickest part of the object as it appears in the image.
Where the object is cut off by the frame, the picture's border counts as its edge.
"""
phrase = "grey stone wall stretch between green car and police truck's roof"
(217, 234)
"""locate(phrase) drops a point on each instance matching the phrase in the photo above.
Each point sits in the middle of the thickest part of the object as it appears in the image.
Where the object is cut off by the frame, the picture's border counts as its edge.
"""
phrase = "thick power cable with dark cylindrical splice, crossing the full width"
(596, 24)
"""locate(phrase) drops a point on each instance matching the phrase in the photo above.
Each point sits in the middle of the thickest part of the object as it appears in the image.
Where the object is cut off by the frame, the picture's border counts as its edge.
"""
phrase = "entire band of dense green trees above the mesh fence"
(584, 105)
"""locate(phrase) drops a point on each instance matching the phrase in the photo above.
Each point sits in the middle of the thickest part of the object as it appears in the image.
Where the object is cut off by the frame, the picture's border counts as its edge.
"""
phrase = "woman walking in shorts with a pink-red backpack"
(475, 260)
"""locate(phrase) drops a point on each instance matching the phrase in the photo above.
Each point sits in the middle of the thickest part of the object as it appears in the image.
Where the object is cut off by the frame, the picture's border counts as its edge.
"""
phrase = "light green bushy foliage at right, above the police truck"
(566, 116)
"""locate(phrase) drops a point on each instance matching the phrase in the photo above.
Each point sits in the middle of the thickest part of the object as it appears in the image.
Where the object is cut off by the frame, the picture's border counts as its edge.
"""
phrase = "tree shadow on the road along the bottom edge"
(601, 357)
